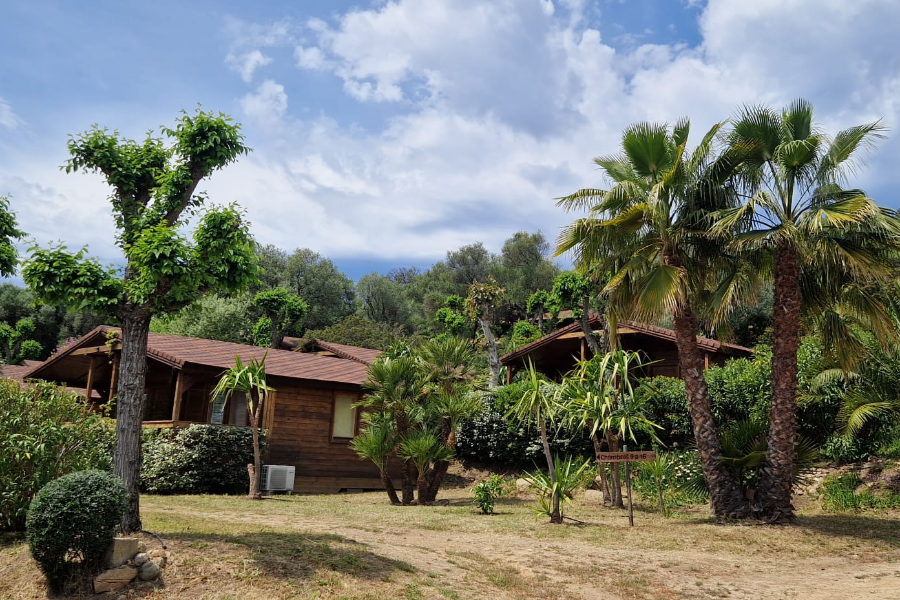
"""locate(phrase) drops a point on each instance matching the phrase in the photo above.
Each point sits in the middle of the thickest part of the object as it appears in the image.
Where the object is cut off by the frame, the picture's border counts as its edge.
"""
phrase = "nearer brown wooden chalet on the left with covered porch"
(309, 418)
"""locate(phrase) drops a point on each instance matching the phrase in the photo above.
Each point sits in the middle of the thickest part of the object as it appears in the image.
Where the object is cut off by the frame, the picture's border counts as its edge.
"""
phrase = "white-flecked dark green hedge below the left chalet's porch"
(201, 459)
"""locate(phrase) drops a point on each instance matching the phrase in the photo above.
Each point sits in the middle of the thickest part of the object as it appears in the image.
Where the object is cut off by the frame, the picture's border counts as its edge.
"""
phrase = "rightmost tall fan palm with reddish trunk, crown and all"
(797, 208)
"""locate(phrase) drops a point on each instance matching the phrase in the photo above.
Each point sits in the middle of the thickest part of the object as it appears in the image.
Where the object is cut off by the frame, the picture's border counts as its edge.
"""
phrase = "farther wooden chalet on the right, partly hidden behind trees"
(556, 353)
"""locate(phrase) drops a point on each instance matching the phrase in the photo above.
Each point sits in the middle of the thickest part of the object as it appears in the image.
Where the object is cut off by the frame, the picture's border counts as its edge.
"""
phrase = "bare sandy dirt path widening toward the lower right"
(522, 567)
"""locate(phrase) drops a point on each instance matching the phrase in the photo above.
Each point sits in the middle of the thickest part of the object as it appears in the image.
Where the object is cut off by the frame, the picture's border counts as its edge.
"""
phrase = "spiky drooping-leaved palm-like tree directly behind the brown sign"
(598, 395)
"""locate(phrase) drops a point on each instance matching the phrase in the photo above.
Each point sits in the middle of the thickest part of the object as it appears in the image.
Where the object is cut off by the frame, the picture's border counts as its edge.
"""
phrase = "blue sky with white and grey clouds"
(386, 133)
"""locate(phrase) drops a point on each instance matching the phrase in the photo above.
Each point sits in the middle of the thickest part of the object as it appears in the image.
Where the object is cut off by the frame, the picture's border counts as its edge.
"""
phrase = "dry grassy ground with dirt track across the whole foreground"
(358, 546)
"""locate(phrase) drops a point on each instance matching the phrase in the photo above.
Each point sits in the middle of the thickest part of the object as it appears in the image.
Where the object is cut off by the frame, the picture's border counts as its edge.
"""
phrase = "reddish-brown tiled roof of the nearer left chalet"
(179, 351)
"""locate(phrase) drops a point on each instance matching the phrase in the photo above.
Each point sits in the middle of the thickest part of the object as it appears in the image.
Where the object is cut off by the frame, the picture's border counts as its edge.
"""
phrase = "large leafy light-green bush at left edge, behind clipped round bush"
(45, 432)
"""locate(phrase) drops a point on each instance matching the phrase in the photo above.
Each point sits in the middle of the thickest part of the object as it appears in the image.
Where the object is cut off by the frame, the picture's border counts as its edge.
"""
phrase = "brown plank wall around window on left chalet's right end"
(300, 435)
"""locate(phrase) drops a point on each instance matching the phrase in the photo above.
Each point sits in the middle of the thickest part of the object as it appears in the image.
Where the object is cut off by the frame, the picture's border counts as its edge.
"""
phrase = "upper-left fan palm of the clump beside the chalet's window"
(396, 386)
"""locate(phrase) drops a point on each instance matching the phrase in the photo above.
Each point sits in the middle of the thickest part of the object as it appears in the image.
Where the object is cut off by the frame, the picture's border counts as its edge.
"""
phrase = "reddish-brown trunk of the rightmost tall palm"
(775, 488)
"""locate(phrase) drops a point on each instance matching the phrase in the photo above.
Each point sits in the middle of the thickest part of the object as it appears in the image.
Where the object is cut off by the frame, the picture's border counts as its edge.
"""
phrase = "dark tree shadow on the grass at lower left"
(297, 556)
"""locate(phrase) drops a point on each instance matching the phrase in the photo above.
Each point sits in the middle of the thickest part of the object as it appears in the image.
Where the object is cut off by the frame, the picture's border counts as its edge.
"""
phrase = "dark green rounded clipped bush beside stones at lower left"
(71, 523)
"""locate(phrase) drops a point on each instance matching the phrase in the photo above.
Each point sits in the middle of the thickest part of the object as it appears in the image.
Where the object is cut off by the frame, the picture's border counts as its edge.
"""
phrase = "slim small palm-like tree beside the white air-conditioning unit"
(249, 380)
